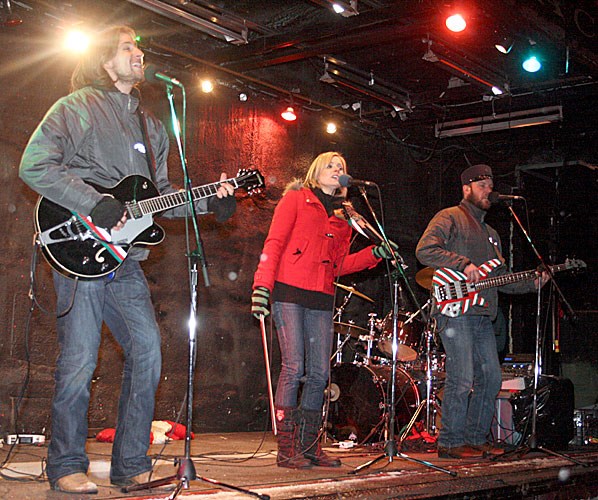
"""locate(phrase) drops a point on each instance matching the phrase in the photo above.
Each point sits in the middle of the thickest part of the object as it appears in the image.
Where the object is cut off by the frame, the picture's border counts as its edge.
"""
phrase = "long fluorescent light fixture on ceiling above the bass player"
(516, 119)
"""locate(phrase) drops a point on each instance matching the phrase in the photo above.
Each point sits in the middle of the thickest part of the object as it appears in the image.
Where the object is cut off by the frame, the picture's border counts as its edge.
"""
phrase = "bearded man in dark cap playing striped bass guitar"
(457, 238)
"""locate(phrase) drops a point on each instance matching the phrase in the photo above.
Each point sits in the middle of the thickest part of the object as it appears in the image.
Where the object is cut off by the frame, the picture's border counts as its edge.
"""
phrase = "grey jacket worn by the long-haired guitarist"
(95, 135)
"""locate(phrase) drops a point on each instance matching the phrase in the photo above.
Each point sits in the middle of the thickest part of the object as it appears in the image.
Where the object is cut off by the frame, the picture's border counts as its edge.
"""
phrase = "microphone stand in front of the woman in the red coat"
(390, 447)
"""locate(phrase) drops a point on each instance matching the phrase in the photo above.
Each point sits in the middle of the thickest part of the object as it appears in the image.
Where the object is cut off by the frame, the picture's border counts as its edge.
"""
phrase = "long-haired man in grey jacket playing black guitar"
(99, 135)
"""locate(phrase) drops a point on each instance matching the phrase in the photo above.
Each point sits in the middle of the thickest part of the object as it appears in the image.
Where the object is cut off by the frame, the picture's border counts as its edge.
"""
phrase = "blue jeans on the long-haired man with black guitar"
(123, 302)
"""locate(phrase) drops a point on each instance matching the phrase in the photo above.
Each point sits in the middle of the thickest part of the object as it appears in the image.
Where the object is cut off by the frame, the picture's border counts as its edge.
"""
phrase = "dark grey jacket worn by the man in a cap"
(458, 236)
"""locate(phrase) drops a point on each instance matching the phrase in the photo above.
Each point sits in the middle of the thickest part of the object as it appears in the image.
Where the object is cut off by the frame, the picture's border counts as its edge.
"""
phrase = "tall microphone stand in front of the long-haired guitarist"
(186, 471)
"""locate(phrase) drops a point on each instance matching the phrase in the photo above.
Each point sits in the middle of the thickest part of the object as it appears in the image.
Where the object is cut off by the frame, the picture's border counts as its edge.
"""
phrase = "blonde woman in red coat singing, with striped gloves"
(306, 249)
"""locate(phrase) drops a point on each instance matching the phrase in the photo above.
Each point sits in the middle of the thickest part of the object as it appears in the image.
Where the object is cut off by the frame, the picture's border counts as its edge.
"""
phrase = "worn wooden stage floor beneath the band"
(248, 460)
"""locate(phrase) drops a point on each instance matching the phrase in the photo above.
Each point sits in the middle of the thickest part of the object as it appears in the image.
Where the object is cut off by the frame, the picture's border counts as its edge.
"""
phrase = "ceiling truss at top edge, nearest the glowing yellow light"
(213, 23)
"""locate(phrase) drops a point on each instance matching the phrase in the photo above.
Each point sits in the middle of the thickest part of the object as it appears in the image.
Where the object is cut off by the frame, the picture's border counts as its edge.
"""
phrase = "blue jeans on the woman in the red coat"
(305, 339)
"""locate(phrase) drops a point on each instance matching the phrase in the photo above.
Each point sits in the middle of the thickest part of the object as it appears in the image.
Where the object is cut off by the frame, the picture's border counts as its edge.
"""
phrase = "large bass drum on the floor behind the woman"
(357, 396)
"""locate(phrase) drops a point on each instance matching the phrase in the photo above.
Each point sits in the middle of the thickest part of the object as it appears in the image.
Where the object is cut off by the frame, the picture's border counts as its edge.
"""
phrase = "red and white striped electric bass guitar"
(454, 293)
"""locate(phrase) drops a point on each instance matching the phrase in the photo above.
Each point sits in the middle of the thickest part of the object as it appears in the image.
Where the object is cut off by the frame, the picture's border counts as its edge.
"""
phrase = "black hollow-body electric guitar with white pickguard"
(75, 247)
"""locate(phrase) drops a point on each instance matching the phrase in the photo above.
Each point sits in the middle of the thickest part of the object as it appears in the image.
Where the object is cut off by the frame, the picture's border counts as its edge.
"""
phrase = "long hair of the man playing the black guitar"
(90, 69)
